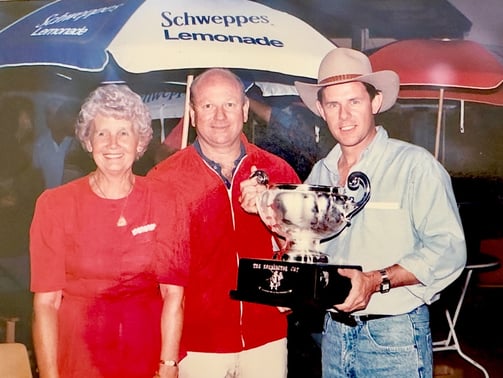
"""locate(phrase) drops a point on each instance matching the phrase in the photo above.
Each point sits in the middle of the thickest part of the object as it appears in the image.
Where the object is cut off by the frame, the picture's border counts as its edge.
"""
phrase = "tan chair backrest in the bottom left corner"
(14, 361)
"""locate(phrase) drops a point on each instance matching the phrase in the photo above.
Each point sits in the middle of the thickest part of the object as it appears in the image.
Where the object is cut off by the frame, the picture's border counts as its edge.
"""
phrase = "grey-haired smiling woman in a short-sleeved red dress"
(106, 271)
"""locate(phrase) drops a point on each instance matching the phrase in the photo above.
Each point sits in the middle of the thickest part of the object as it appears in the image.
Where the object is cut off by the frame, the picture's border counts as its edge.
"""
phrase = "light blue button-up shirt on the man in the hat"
(411, 219)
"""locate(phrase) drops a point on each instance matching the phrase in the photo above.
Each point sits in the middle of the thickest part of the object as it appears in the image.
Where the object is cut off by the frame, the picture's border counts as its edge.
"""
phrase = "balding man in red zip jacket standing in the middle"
(224, 337)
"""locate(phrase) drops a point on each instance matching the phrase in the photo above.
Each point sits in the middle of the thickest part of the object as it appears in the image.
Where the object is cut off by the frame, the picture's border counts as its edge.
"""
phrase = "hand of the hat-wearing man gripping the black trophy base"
(362, 288)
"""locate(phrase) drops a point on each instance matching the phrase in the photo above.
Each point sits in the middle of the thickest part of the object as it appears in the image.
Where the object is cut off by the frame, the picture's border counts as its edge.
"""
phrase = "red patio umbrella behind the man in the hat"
(443, 69)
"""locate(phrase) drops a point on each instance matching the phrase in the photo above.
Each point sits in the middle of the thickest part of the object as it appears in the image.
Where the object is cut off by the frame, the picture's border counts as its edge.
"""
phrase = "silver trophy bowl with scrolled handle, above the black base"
(304, 215)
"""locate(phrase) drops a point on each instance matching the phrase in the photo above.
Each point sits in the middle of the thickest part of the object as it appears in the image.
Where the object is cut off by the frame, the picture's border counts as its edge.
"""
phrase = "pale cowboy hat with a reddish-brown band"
(343, 65)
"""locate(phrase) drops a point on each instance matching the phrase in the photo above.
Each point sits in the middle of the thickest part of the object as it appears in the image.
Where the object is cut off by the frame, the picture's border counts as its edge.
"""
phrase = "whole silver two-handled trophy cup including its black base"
(303, 215)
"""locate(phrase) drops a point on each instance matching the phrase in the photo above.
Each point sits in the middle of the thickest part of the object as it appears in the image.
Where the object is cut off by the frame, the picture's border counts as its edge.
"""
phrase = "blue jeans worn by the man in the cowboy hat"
(396, 346)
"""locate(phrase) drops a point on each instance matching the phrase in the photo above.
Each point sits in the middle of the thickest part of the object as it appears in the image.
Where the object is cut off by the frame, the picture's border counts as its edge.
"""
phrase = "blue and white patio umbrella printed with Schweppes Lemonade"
(148, 36)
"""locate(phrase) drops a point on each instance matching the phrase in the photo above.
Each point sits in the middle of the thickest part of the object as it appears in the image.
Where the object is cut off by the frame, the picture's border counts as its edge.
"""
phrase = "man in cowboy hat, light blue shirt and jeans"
(408, 238)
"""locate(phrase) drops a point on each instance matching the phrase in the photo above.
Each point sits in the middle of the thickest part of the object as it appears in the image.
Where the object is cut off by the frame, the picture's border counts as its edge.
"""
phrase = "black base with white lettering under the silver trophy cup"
(291, 284)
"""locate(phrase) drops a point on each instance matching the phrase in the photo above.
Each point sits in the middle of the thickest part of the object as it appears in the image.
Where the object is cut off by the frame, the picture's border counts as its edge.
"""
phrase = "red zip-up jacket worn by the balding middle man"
(218, 233)
